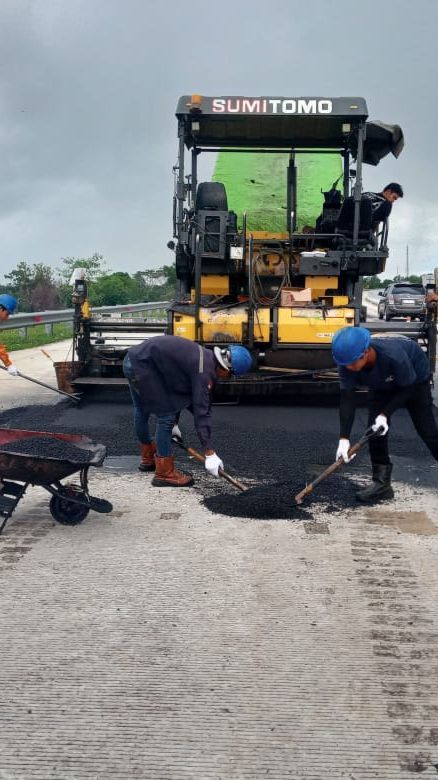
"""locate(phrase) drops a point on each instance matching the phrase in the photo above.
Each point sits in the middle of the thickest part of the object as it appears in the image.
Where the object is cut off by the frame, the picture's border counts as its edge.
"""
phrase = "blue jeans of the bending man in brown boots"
(165, 422)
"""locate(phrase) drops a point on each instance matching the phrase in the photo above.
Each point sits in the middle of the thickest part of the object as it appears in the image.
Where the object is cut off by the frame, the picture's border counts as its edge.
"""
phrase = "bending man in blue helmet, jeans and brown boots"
(167, 374)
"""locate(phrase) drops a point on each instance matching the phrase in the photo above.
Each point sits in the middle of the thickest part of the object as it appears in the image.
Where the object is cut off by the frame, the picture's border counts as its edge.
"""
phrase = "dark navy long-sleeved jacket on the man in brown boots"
(174, 373)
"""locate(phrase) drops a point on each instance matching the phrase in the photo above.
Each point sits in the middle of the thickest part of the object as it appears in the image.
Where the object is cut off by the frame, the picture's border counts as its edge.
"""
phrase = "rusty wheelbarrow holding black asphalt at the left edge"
(70, 503)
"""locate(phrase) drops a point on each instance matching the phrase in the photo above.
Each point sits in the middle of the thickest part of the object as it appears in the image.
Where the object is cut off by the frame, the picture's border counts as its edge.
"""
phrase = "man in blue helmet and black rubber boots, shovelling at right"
(397, 373)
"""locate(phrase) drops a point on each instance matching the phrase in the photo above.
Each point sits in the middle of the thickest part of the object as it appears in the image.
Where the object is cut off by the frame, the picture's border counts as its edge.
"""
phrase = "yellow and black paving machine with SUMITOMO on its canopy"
(256, 265)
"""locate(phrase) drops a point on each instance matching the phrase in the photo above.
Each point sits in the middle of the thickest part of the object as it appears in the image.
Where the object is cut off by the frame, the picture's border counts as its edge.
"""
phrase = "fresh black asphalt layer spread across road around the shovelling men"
(276, 449)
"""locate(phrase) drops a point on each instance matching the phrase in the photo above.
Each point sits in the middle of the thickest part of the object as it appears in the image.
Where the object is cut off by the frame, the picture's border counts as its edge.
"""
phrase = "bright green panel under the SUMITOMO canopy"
(256, 184)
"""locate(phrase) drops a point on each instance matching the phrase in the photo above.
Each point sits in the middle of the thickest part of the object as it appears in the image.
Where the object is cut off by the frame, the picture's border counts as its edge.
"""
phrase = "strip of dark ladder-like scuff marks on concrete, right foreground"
(404, 645)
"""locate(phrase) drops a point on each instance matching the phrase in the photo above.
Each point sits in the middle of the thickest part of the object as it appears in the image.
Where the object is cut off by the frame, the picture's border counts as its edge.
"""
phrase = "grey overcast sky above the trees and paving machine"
(88, 90)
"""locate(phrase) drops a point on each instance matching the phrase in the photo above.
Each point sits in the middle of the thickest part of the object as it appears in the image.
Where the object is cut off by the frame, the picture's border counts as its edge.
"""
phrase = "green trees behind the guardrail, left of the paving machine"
(38, 287)
